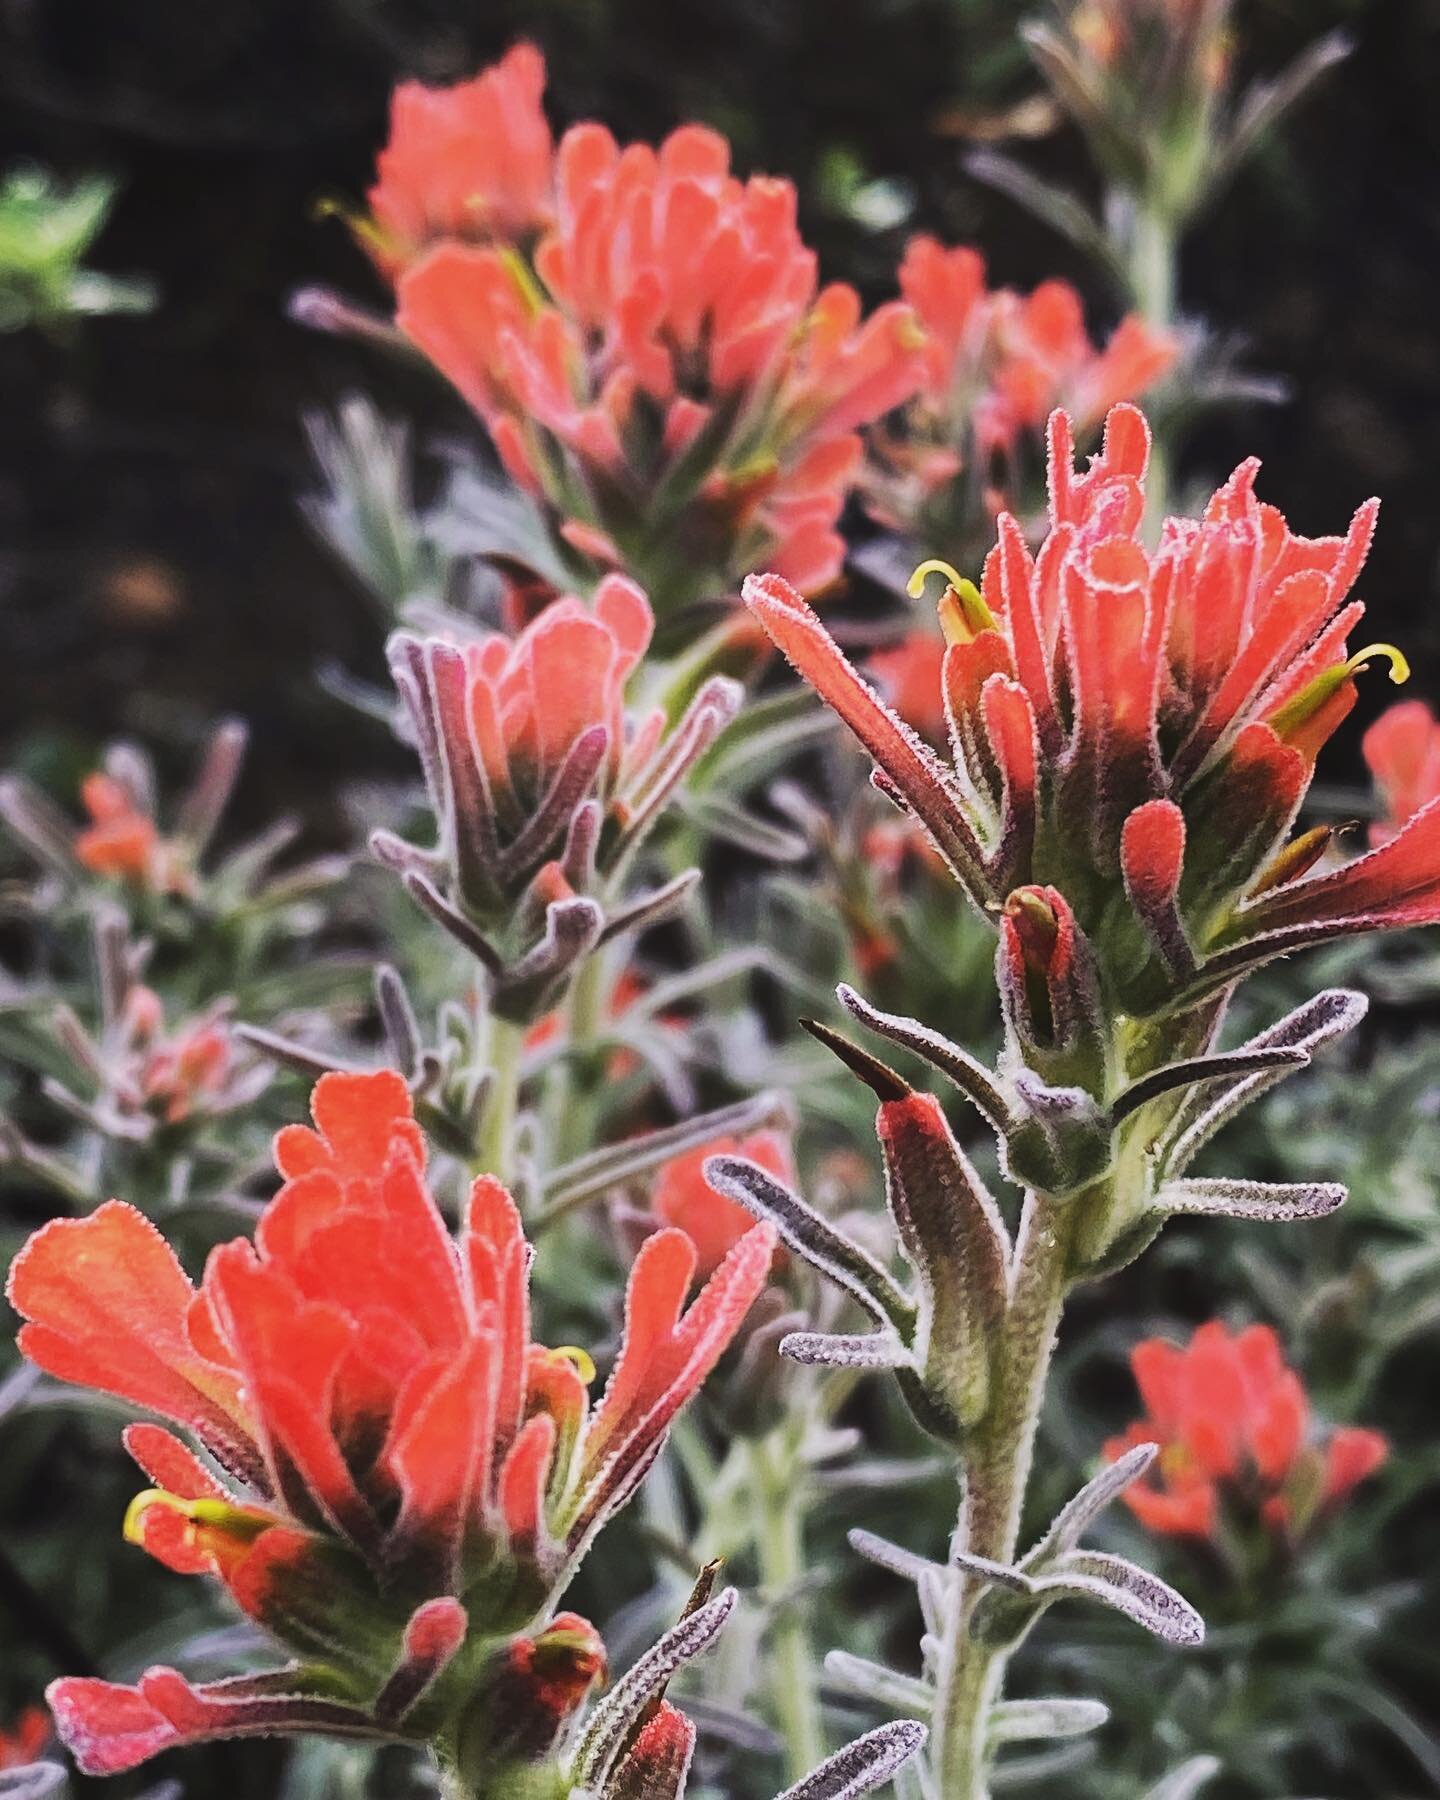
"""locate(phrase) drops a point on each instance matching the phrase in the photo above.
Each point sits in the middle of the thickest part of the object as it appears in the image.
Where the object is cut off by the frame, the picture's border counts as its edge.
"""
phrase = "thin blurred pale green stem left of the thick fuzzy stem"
(780, 1498)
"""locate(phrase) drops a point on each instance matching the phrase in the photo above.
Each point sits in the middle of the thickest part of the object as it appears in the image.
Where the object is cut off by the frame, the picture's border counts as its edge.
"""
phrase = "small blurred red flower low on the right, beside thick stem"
(1232, 1423)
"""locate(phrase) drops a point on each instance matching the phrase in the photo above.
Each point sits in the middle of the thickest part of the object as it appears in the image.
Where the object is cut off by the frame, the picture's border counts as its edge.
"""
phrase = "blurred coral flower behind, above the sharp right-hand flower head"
(996, 366)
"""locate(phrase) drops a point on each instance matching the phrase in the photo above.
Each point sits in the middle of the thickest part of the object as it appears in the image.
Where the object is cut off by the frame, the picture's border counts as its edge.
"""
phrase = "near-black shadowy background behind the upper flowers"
(152, 562)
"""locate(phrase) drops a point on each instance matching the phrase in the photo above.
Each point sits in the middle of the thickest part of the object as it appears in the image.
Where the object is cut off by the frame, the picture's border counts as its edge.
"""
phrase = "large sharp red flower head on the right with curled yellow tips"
(1142, 724)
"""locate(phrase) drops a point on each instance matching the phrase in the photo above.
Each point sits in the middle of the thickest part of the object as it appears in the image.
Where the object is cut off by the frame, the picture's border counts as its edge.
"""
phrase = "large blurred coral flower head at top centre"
(661, 372)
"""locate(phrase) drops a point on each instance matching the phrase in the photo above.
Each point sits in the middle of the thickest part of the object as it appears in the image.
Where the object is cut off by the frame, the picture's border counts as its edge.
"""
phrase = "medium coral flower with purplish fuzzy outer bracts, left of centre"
(543, 786)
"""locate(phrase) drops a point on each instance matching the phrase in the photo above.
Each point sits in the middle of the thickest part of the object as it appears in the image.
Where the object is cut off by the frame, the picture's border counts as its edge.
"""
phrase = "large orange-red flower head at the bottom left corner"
(393, 1477)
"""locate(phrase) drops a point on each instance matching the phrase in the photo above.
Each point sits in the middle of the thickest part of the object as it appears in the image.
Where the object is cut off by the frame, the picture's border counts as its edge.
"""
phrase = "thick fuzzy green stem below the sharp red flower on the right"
(996, 1471)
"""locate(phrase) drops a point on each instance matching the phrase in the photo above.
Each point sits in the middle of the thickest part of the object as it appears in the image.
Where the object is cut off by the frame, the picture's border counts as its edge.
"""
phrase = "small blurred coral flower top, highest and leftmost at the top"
(474, 163)
